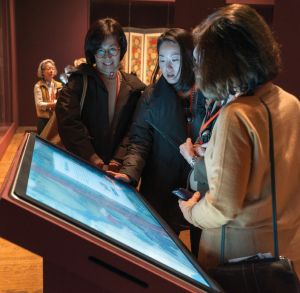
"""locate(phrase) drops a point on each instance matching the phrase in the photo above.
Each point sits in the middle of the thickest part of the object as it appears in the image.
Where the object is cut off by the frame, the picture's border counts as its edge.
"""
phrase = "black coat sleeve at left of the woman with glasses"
(72, 130)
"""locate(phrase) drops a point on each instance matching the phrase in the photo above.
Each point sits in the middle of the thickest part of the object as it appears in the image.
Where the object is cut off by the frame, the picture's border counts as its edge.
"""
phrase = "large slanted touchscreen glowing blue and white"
(86, 196)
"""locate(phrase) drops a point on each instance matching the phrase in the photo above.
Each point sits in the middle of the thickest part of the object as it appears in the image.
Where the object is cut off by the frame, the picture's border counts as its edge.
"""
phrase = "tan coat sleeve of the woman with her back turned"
(228, 163)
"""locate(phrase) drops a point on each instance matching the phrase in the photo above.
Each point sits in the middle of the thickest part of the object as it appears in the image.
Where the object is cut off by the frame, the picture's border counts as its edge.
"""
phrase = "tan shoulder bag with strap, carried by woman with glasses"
(50, 132)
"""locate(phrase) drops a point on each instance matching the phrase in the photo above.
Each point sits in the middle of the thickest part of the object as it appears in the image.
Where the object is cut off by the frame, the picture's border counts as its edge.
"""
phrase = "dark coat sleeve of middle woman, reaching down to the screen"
(139, 141)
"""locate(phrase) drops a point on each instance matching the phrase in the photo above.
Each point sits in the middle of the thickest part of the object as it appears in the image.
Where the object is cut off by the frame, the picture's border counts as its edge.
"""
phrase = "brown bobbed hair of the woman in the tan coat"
(235, 51)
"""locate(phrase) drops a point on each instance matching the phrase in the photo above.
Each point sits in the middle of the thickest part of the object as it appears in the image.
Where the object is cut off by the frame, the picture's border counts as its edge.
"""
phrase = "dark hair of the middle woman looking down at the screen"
(185, 41)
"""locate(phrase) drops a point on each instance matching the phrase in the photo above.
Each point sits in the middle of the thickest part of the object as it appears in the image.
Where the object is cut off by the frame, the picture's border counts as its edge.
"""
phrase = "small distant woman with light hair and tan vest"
(45, 92)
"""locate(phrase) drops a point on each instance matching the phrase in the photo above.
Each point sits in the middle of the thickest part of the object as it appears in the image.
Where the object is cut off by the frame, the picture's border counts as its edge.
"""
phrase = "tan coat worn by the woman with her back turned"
(238, 169)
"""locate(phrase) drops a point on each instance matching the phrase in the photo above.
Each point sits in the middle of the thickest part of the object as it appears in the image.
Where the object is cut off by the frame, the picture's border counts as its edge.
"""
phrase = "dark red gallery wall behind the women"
(56, 29)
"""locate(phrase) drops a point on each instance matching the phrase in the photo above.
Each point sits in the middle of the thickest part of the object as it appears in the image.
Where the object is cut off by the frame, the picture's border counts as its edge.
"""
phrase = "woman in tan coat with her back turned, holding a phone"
(236, 60)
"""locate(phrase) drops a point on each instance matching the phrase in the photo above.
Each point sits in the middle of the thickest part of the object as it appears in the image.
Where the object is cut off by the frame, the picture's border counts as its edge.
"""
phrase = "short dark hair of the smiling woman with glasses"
(98, 32)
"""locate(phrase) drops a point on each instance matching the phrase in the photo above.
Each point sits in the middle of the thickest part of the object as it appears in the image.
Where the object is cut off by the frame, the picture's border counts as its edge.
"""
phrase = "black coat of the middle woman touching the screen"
(159, 127)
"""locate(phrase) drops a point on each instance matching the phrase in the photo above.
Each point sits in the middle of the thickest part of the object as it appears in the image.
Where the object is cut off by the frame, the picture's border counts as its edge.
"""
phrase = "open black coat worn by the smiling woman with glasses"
(91, 132)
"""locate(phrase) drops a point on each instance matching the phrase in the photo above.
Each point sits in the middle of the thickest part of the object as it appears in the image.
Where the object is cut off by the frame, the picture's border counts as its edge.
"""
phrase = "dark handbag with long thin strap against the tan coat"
(256, 274)
